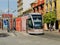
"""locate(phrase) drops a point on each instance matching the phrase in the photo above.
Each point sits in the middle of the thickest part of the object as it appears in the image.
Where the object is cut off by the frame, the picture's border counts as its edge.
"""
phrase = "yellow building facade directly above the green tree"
(50, 5)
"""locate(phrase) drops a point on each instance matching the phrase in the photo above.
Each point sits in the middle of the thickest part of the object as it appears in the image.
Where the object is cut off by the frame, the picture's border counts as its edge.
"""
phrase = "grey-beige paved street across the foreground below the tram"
(25, 39)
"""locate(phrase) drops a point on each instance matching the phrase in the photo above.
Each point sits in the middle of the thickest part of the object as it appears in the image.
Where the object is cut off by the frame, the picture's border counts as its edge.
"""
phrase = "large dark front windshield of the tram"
(37, 21)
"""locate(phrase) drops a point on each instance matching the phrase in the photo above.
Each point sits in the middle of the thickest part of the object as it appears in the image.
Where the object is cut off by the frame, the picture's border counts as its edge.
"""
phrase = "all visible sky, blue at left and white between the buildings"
(13, 5)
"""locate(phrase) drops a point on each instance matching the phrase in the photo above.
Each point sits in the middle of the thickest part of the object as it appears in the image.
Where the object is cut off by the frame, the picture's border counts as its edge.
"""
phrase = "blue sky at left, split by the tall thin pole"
(12, 5)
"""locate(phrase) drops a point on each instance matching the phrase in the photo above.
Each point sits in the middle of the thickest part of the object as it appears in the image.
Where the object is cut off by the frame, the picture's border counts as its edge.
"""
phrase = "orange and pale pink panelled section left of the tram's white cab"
(21, 23)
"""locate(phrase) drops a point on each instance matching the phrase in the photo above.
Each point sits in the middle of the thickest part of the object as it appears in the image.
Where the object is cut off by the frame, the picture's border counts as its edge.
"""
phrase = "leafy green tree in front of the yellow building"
(50, 18)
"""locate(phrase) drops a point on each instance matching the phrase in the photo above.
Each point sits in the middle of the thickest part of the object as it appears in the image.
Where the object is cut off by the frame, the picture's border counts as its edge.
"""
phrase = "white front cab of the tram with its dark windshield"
(35, 24)
